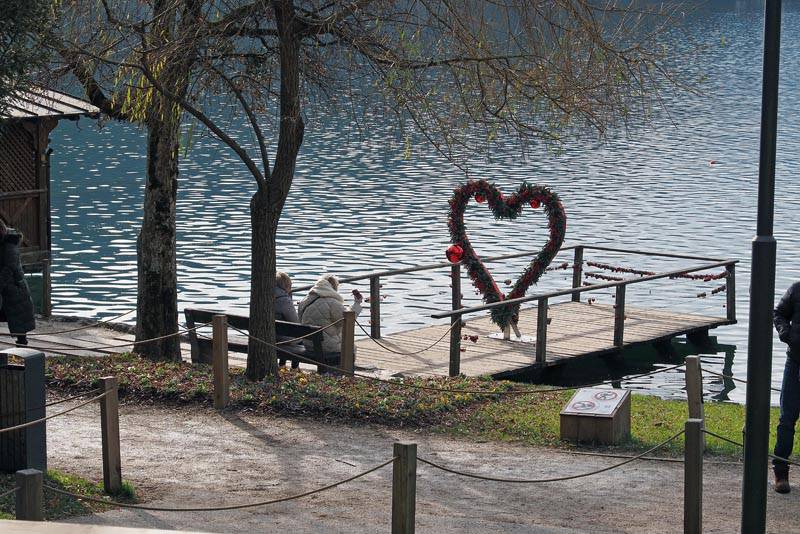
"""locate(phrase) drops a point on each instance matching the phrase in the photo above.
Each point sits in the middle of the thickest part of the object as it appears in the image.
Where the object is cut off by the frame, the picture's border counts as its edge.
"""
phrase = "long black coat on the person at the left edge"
(15, 297)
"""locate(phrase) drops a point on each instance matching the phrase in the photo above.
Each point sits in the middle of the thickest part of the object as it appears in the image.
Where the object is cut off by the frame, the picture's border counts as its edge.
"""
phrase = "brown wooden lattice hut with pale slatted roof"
(25, 124)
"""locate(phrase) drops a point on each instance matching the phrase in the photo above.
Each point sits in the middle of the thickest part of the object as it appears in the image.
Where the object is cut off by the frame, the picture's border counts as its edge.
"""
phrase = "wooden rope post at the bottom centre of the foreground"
(404, 488)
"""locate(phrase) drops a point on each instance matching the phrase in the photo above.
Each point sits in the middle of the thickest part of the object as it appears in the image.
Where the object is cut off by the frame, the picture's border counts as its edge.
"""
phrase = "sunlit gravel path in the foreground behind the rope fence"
(197, 457)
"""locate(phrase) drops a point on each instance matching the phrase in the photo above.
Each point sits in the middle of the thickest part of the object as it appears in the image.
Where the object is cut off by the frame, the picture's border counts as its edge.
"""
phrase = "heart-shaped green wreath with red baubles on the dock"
(504, 208)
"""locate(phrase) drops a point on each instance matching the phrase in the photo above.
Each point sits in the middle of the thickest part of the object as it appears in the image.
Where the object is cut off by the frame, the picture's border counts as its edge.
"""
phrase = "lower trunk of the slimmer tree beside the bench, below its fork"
(261, 357)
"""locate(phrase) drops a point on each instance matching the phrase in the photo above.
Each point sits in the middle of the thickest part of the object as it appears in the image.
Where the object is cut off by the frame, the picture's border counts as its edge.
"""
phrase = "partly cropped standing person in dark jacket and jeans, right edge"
(787, 323)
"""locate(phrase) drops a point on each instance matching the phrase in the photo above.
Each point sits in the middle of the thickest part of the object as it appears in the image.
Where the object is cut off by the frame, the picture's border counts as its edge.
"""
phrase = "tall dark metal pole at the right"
(762, 292)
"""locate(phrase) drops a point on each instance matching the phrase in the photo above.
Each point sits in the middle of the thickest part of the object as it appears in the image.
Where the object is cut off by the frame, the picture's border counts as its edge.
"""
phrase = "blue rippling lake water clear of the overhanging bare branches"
(359, 204)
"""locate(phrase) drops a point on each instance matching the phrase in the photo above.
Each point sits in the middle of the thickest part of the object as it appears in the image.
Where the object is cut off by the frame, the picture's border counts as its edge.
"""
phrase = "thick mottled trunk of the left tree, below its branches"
(157, 296)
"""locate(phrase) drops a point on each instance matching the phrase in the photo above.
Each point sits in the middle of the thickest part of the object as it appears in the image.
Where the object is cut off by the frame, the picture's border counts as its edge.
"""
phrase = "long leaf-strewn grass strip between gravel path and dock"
(530, 419)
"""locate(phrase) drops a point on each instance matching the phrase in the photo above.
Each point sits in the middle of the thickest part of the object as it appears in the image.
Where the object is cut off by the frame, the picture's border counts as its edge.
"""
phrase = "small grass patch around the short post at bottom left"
(57, 506)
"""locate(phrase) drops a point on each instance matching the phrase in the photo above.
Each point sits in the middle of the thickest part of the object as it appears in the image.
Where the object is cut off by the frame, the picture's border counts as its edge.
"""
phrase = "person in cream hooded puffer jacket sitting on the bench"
(324, 306)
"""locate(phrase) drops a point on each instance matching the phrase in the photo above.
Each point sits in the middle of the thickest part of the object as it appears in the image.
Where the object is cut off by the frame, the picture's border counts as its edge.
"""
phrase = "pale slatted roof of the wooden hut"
(38, 102)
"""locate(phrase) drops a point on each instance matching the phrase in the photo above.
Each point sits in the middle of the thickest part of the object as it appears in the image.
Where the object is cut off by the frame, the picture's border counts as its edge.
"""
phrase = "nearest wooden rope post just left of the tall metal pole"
(693, 477)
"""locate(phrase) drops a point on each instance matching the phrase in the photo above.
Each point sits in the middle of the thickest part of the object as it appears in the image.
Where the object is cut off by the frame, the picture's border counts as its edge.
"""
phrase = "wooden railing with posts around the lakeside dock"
(456, 312)
